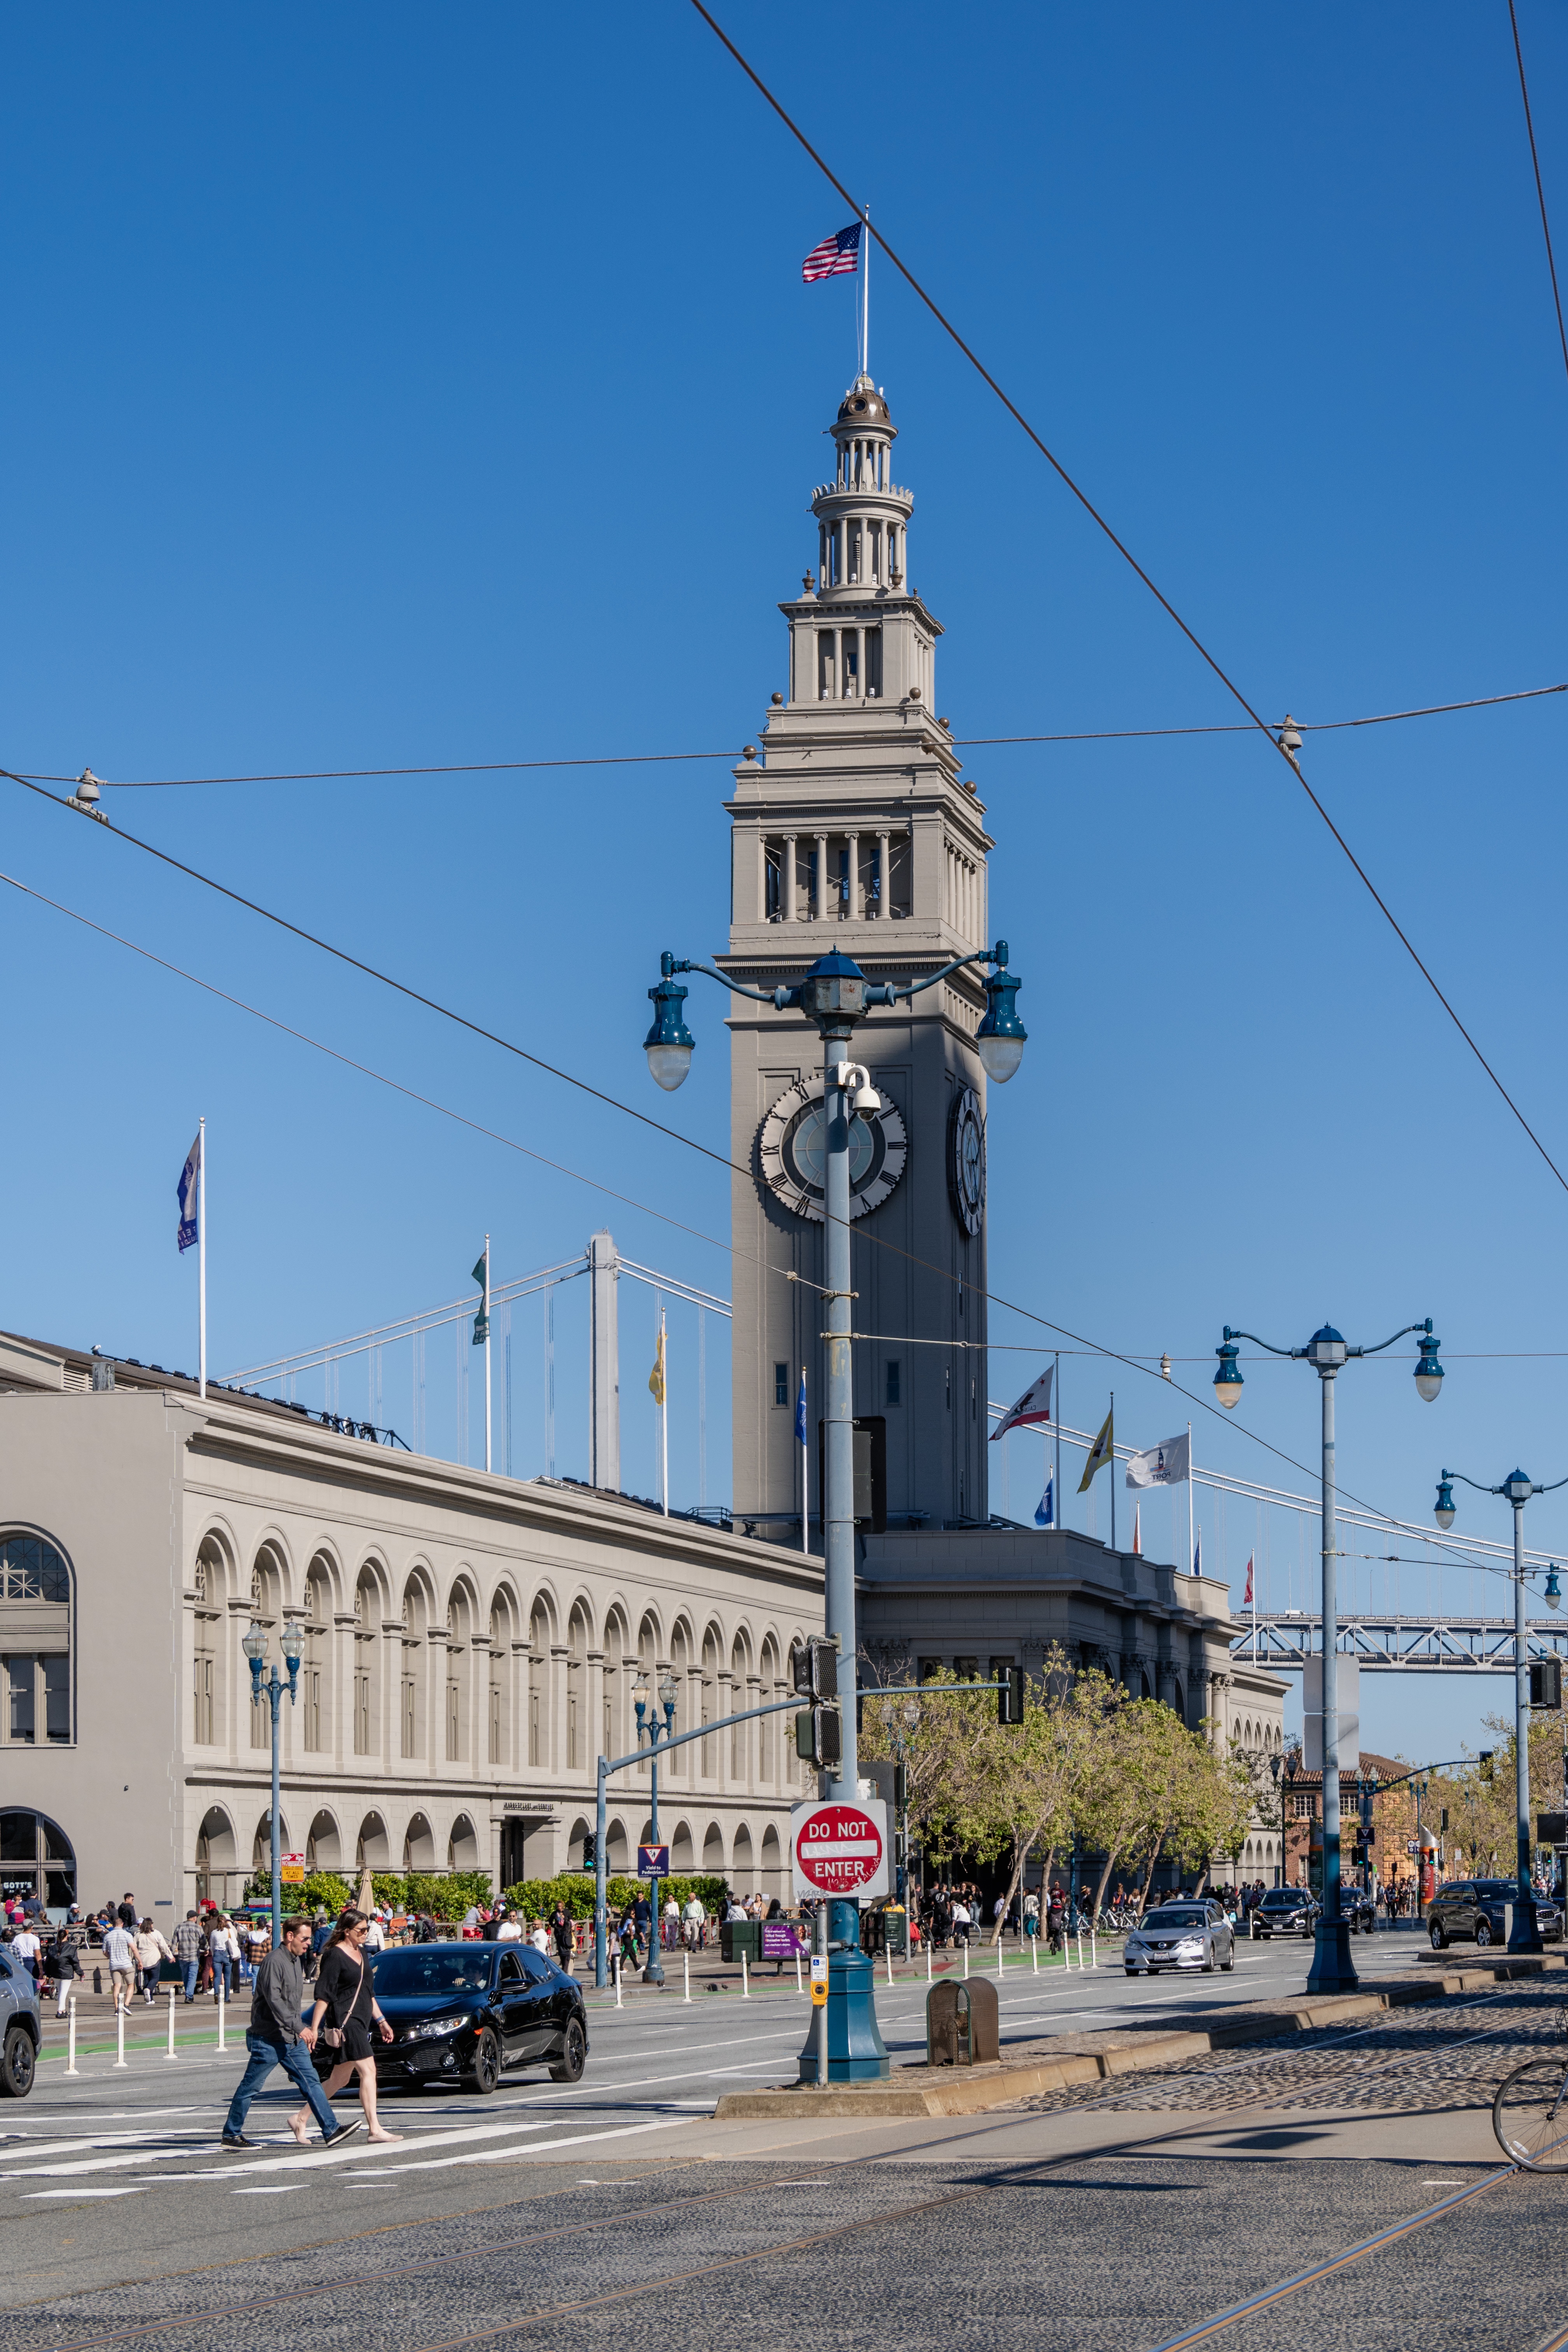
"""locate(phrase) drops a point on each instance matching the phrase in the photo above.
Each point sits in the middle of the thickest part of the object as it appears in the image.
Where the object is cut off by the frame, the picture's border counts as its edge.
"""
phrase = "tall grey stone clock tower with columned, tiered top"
(855, 831)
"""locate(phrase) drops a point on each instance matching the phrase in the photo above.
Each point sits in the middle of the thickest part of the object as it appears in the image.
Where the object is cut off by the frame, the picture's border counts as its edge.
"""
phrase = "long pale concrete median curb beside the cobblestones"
(996, 2085)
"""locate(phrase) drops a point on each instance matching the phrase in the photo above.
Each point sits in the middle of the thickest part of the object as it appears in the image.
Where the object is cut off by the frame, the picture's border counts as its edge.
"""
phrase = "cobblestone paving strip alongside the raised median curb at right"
(1414, 2059)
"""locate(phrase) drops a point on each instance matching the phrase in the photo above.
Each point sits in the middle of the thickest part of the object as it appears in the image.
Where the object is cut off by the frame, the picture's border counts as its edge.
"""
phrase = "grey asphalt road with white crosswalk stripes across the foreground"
(1118, 2217)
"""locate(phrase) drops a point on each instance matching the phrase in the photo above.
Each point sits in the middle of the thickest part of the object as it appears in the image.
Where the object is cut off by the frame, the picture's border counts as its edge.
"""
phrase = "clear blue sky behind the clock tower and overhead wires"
(406, 387)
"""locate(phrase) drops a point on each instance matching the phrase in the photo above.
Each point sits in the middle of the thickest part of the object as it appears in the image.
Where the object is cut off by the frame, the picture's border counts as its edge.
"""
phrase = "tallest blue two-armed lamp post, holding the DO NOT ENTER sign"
(838, 996)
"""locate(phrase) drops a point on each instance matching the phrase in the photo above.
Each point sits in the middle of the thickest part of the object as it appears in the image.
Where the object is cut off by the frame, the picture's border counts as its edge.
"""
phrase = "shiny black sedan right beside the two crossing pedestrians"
(462, 2012)
